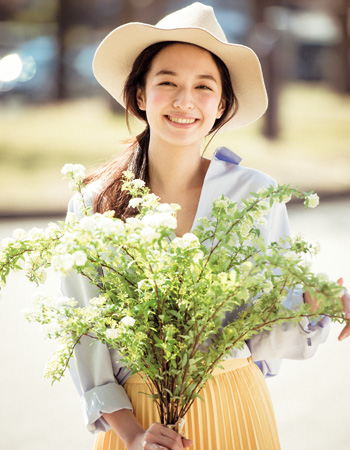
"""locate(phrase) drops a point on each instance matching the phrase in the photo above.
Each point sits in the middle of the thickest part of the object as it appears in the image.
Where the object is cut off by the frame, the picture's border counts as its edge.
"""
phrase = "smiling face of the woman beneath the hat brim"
(182, 97)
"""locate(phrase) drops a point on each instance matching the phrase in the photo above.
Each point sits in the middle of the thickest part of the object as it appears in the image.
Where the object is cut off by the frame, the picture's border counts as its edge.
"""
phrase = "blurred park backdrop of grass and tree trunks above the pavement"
(53, 112)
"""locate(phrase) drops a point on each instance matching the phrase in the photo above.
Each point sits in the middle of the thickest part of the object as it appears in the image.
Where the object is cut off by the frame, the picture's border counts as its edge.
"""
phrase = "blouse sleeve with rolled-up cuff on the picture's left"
(92, 368)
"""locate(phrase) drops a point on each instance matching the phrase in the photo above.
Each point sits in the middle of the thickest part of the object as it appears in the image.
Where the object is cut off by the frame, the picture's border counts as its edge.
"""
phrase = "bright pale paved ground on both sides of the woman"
(311, 398)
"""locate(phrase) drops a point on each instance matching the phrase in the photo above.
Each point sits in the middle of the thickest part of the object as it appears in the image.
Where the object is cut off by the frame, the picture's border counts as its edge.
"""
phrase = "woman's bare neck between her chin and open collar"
(175, 170)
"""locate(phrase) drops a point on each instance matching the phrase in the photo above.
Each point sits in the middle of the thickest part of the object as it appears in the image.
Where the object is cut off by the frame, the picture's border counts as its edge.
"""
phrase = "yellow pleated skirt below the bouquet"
(236, 414)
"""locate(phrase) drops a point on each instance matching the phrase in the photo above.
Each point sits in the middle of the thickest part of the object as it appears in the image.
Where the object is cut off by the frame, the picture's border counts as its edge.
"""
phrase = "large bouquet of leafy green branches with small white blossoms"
(160, 298)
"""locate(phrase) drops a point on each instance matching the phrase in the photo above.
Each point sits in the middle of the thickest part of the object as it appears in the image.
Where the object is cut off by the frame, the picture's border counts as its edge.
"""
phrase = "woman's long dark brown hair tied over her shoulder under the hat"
(135, 157)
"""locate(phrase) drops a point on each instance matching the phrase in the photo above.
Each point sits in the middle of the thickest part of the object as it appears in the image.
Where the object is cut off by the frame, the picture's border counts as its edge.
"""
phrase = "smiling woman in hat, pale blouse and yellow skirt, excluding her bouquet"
(185, 81)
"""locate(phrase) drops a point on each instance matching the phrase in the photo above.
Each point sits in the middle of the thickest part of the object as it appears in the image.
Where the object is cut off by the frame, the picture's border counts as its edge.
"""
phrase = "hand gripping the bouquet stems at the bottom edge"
(159, 437)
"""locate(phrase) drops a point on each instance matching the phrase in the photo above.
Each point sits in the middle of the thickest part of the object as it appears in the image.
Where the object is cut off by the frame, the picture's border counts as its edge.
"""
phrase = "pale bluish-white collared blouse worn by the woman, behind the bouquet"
(96, 372)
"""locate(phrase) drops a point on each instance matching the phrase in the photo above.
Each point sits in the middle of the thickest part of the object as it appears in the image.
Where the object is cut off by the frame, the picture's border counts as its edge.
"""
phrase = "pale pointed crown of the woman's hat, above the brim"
(196, 15)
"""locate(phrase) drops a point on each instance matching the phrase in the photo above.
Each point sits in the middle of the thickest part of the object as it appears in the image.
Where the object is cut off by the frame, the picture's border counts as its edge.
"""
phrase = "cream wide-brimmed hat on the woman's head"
(195, 24)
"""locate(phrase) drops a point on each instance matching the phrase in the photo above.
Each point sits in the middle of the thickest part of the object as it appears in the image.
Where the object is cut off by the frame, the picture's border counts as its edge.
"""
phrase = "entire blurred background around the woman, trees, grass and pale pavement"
(53, 112)
